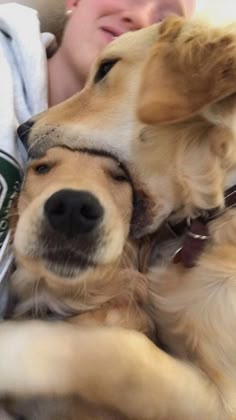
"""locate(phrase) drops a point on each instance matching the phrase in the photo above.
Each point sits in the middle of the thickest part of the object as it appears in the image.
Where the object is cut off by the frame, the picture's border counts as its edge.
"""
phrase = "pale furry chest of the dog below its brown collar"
(195, 309)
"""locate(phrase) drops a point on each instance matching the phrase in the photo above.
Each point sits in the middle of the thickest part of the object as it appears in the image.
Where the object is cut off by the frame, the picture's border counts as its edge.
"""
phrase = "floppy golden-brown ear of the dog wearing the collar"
(189, 67)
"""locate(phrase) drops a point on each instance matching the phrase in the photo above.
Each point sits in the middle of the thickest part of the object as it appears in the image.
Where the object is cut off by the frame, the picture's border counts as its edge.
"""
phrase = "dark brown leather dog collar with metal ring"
(196, 231)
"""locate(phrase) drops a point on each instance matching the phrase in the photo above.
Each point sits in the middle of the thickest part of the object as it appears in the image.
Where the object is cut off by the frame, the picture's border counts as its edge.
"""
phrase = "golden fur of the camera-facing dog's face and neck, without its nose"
(109, 286)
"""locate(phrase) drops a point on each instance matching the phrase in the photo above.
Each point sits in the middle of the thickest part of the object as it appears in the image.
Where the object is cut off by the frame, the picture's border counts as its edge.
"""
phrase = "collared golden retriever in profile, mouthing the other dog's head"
(166, 97)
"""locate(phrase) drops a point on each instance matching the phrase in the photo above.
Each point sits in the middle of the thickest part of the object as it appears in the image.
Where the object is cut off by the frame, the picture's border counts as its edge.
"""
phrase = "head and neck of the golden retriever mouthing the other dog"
(164, 97)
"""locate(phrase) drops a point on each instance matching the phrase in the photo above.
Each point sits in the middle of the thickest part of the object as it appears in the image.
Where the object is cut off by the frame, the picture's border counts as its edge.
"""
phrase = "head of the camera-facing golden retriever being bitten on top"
(75, 213)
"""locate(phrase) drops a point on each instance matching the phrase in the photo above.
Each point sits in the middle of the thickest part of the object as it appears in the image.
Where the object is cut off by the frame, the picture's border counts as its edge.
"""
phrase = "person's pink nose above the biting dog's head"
(138, 17)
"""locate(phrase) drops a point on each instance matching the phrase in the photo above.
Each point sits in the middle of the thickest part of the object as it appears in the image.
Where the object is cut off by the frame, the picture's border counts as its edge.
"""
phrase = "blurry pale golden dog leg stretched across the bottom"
(114, 367)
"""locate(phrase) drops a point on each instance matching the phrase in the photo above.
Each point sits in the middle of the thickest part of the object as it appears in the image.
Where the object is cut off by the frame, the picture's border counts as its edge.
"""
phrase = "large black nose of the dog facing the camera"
(73, 212)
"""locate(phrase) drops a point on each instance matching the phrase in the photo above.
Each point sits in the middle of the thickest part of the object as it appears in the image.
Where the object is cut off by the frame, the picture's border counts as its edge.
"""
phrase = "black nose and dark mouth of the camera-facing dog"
(71, 232)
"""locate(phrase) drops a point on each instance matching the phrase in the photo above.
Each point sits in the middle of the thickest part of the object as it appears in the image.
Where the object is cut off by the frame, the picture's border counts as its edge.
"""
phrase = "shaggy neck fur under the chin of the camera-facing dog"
(38, 297)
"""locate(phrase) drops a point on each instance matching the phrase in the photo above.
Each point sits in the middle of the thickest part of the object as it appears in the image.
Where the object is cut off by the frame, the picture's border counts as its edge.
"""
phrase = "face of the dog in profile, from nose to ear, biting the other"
(103, 114)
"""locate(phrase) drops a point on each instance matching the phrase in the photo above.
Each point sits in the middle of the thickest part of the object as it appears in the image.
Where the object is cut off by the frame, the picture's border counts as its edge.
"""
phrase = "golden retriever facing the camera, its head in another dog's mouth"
(75, 256)
